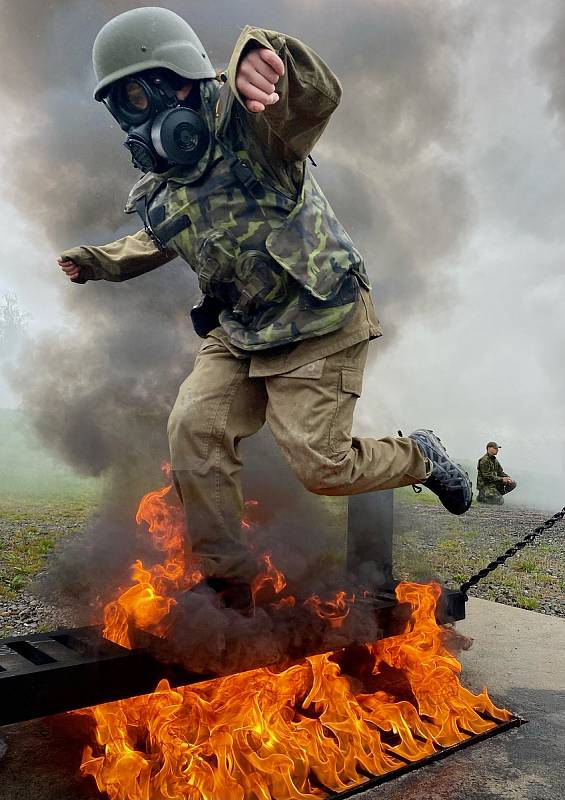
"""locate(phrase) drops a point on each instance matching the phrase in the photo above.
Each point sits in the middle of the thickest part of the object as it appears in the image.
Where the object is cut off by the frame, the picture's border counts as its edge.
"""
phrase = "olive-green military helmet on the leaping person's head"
(145, 38)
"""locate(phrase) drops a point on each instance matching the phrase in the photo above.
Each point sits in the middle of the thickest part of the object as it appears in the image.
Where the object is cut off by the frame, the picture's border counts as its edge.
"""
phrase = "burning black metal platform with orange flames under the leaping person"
(358, 689)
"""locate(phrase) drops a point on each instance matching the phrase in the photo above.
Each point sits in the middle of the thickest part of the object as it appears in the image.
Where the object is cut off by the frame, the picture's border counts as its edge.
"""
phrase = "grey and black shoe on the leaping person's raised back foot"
(448, 480)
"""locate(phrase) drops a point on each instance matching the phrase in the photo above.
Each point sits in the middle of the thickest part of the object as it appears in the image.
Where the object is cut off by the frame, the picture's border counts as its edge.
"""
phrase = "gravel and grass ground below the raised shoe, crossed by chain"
(430, 543)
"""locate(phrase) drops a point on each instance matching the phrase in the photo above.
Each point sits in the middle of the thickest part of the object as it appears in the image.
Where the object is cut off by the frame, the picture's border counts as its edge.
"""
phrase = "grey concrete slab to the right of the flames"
(520, 656)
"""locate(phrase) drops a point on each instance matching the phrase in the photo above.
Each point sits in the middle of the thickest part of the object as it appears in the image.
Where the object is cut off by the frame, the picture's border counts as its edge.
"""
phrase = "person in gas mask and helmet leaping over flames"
(286, 313)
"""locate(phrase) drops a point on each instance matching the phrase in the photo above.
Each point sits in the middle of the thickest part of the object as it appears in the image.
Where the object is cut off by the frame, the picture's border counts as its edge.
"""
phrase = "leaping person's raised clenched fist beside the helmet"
(257, 75)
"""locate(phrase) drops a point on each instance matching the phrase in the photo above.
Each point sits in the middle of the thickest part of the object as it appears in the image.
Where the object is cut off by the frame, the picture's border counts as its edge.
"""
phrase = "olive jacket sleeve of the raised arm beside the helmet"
(309, 92)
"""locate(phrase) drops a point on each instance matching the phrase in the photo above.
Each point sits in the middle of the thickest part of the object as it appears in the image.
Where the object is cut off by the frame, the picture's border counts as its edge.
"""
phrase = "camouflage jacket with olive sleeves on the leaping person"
(277, 261)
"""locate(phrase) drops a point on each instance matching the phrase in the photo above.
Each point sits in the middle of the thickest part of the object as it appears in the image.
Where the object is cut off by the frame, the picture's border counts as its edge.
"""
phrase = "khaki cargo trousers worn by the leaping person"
(310, 413)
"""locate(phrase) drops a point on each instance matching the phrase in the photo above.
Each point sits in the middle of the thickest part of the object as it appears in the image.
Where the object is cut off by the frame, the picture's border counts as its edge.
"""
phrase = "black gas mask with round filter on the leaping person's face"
(162, 132)
